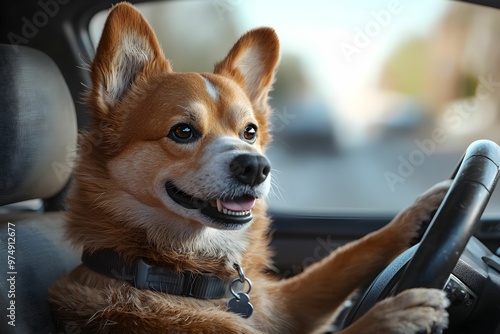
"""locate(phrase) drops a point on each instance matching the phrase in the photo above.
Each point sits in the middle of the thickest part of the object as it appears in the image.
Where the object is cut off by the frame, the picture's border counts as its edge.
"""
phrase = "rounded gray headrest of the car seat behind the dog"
(38, 129)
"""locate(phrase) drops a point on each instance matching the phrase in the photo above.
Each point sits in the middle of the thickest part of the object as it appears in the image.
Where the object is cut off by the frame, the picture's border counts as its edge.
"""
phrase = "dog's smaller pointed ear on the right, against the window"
(252, 62)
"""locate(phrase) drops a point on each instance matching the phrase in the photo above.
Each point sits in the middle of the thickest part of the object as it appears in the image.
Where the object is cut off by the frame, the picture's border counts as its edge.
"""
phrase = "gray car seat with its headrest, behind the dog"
(37, 132)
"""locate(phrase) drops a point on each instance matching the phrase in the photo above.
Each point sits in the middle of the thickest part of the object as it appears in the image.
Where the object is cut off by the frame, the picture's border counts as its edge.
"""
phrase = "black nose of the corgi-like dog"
(251, 169)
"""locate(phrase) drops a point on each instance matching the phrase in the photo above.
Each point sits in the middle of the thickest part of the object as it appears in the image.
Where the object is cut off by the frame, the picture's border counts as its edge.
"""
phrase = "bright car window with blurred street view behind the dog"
(374, 101)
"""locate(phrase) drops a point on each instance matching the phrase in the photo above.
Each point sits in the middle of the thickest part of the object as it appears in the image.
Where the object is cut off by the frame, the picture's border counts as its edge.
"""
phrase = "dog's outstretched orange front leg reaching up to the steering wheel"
(313, 296)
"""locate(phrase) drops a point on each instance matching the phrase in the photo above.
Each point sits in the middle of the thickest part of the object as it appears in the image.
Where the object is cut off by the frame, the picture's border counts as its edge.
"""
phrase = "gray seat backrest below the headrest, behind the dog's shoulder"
(41, 256)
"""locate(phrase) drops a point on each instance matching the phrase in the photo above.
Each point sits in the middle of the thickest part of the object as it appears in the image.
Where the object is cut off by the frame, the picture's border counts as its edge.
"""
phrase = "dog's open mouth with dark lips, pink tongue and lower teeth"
(233, 211)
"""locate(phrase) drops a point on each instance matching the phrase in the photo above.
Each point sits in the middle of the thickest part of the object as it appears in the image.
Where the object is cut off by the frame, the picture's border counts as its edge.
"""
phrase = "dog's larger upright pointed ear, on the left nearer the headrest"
(127, 46)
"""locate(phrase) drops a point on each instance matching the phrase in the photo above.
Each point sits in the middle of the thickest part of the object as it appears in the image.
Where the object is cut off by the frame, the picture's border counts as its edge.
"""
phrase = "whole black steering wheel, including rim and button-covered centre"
(434, 262)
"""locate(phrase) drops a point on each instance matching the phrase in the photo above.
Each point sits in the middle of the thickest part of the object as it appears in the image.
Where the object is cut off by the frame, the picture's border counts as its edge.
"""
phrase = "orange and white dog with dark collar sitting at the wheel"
(168, 206)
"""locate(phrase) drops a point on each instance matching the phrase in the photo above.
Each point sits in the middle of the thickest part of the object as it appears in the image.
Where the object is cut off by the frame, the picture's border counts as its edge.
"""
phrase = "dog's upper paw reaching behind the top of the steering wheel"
(410, 223)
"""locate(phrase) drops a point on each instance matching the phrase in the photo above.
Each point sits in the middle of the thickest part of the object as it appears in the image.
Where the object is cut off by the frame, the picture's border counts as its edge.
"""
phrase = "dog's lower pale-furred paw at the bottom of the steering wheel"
(412, 311)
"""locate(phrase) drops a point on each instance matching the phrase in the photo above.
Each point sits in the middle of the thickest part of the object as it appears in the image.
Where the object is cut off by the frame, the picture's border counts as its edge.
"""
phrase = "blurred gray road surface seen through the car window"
(365, 179)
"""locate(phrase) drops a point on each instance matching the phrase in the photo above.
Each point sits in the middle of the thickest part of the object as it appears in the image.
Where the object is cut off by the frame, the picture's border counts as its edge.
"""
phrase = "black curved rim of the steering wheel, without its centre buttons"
(430, 263)
